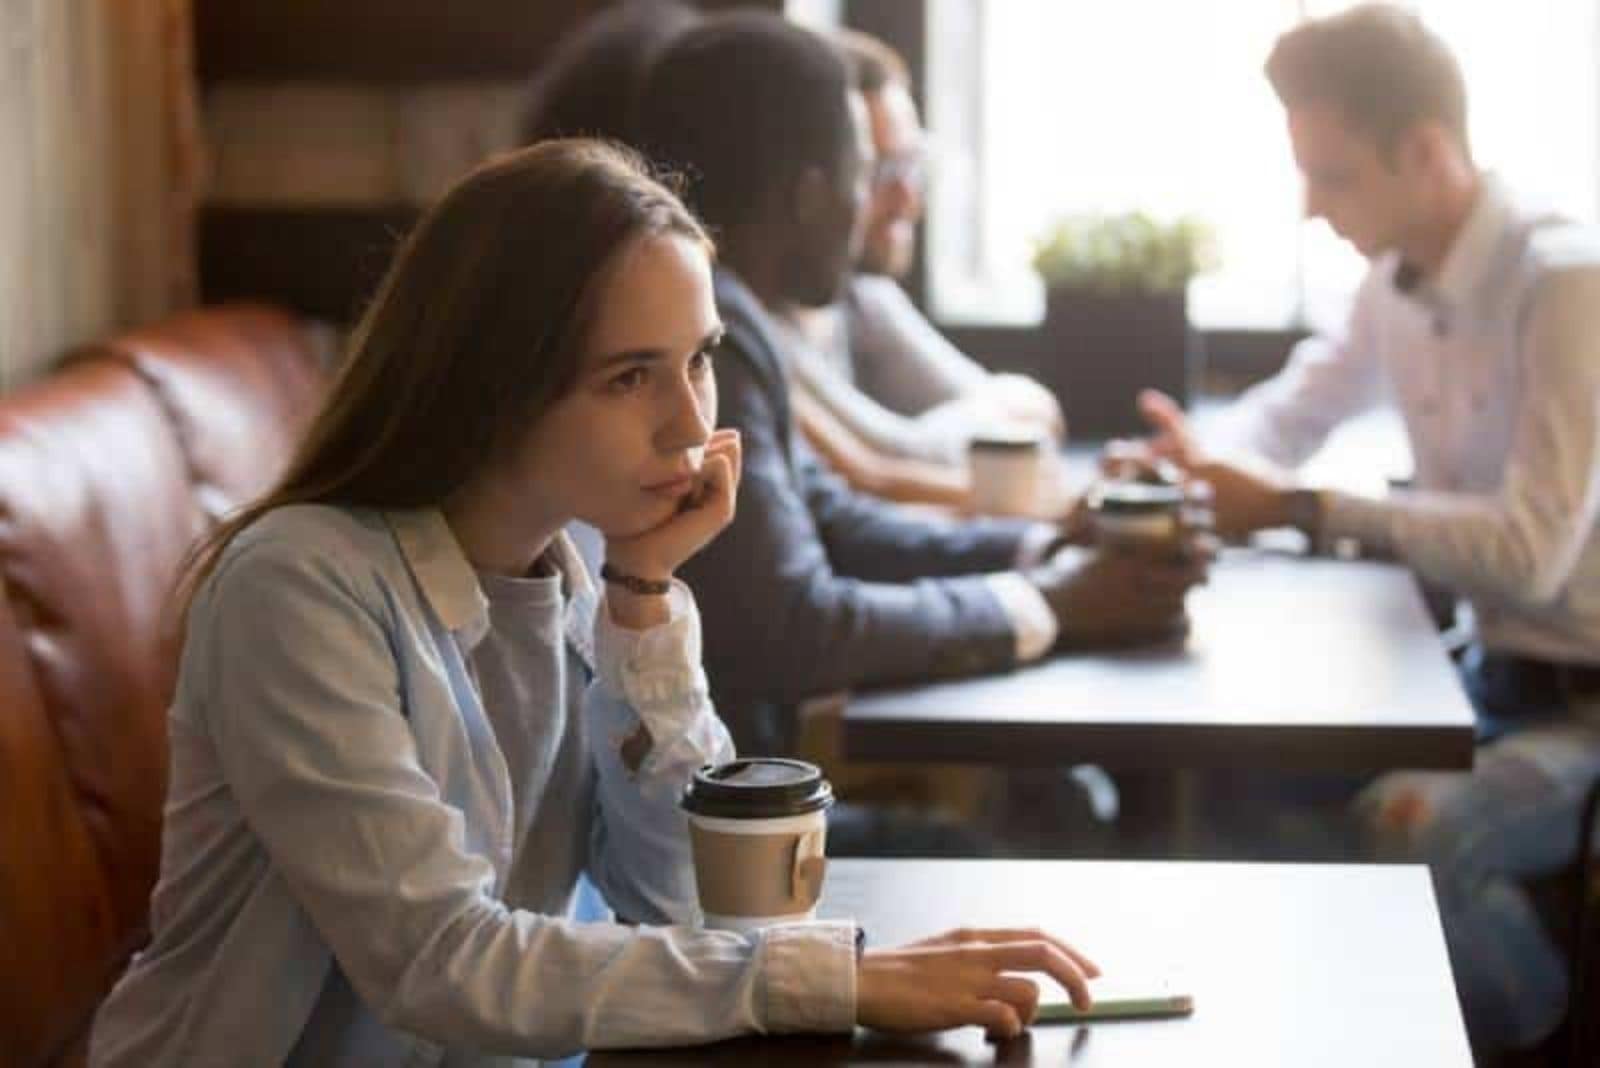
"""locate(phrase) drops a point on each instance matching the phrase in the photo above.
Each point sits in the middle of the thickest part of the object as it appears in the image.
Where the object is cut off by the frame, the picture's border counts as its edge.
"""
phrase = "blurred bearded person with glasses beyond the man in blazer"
(878, 389)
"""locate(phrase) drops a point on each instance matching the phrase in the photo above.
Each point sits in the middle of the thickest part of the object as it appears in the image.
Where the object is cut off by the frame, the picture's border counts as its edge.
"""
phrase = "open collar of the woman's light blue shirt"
(447, 580)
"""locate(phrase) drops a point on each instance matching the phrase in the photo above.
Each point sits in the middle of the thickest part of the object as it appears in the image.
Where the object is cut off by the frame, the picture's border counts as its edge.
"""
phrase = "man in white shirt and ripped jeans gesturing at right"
(1482, 321)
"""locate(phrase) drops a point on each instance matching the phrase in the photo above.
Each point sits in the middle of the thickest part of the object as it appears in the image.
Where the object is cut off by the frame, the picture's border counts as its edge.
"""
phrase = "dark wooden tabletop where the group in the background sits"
(1292, 664)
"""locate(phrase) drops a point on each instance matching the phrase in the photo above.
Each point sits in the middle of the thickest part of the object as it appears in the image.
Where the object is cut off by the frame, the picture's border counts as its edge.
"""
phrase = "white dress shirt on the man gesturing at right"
(1495, 367)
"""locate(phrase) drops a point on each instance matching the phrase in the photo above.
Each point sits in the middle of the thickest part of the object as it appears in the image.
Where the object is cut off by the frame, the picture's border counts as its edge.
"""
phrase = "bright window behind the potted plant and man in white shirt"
(1041, 108)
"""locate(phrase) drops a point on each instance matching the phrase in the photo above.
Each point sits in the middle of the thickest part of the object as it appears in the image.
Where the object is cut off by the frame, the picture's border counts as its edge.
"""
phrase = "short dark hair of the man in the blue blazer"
(743, 103)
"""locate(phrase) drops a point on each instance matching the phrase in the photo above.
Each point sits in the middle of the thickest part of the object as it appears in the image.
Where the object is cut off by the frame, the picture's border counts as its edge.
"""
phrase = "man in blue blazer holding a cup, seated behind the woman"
(817, 588)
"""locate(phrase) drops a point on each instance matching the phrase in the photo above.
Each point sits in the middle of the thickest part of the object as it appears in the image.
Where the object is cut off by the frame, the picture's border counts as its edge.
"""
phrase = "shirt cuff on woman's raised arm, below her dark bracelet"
(657, 669)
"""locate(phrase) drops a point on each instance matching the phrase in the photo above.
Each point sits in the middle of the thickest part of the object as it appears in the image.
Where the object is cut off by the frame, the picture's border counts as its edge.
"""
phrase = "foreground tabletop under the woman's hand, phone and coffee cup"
(1316, 966)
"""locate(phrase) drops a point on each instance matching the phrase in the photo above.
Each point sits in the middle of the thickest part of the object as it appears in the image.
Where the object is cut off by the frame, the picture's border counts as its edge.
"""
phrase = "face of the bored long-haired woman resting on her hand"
(625, 447)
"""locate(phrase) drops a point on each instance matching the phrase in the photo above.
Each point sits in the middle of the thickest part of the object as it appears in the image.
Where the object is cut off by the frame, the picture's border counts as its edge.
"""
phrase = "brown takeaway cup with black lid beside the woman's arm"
(759, 829)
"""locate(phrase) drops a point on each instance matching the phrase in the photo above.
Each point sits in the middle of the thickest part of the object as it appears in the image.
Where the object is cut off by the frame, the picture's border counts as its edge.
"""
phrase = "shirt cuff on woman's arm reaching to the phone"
(810, 978)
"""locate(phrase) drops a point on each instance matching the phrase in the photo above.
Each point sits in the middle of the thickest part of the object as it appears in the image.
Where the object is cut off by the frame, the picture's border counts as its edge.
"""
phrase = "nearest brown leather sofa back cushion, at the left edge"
(95, 520)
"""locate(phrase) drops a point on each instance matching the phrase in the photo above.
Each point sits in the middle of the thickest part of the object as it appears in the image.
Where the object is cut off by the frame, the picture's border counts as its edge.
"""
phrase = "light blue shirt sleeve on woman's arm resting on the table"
(306, 711)
